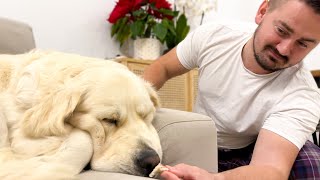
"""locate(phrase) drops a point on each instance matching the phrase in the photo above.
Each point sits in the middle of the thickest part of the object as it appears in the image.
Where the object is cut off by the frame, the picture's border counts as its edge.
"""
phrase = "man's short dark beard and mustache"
(262, 60)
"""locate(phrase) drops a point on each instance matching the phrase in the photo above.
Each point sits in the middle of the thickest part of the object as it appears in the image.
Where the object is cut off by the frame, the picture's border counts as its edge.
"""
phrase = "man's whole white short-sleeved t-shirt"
(286, 102)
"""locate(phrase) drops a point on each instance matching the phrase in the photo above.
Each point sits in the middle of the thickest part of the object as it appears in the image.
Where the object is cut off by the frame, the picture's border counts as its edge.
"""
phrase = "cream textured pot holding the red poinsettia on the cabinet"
(147, 48)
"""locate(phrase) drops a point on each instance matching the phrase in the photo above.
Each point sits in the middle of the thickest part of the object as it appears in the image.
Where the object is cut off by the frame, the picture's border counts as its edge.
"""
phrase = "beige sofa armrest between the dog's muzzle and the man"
(188, 138)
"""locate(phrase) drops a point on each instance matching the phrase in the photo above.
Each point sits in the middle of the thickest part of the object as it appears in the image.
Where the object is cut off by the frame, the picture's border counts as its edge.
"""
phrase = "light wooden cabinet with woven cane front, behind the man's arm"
(177, 93)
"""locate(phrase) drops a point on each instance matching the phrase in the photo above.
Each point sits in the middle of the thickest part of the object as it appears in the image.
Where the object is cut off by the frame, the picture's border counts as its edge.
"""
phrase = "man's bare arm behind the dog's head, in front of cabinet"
(164, 68)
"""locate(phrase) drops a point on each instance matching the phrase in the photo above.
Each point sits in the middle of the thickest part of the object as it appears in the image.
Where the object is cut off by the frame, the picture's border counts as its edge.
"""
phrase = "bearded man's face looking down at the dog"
(285, 36)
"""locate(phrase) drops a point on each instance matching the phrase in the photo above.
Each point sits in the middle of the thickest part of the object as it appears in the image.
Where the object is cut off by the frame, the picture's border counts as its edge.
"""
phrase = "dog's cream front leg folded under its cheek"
(70, 158)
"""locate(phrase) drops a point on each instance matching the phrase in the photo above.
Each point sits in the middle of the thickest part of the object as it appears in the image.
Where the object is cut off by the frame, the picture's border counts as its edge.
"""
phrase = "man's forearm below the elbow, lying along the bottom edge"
(251, 172)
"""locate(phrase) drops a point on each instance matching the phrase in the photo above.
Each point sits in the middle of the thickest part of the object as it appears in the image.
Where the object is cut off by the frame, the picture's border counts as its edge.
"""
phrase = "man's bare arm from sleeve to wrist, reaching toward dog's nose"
(272, 158)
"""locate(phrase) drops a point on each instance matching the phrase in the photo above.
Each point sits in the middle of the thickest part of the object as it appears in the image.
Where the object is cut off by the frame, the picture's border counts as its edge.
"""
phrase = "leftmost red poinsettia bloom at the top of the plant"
(122, 8)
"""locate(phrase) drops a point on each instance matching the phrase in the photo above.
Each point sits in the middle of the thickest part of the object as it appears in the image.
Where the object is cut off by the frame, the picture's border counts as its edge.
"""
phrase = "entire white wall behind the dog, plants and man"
(80, 26)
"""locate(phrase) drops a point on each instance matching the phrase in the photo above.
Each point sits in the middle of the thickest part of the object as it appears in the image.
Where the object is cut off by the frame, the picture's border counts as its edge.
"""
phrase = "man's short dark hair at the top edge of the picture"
(314, 4)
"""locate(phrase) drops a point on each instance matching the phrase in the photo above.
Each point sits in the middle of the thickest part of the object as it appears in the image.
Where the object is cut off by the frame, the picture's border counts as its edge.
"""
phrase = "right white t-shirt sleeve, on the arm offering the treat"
(296, 115)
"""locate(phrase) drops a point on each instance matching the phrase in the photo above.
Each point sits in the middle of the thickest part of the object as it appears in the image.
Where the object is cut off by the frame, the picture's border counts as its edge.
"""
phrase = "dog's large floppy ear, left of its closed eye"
(48, 117)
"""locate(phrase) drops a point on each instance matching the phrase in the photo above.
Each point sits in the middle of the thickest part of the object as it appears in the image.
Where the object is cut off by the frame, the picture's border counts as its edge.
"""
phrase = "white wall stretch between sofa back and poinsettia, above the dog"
(77, 26)
